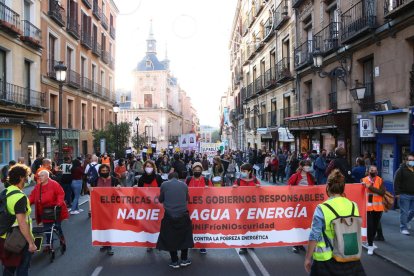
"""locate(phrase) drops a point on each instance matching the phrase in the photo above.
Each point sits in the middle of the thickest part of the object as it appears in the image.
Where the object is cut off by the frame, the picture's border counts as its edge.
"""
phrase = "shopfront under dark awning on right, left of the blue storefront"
(321, 130)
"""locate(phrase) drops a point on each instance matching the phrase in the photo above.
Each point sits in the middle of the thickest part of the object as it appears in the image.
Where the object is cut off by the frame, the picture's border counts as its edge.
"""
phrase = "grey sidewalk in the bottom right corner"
(397, 248)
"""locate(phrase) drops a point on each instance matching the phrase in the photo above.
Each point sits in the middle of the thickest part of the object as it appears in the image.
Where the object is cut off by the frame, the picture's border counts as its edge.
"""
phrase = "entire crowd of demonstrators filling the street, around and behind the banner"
(62, 185)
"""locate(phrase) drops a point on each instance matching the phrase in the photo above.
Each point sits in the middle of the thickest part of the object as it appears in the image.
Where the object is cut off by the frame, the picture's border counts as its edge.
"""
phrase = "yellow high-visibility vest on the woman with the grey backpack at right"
(343, 207)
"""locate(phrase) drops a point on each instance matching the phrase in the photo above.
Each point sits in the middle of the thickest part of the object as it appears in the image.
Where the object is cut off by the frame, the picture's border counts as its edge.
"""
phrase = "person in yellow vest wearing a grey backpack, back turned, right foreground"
(328, 252)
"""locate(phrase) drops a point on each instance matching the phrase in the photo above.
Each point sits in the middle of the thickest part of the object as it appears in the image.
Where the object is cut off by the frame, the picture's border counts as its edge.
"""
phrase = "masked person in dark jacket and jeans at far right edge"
(404, 192)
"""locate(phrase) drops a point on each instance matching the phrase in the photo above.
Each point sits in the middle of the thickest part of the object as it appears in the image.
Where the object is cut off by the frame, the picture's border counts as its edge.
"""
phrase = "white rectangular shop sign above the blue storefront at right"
(392, 123)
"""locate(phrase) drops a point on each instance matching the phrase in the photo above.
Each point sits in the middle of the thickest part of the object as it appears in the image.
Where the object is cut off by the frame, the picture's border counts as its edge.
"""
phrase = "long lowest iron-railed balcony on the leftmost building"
(21, 97)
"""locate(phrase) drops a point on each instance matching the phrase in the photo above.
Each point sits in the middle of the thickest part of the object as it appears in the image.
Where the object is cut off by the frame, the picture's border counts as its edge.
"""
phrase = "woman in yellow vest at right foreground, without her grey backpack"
(319, 256)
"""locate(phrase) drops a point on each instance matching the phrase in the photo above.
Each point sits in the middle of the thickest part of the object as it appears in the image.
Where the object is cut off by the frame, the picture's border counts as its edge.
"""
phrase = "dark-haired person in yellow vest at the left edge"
(15, 212)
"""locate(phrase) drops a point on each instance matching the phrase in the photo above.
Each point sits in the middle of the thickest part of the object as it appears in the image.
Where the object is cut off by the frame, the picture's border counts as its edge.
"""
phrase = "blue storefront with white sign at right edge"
(395, 139)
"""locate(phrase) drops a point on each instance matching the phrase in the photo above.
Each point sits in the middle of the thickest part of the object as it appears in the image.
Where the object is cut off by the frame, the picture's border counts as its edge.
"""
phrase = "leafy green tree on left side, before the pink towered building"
(116, 136)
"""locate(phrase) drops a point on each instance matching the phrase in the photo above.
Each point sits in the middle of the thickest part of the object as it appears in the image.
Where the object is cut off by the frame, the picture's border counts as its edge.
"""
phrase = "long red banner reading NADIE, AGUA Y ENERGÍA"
(222, 217)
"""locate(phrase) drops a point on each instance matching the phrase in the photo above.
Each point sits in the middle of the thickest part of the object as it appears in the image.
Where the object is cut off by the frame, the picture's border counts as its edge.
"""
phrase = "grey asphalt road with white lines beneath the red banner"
(83, 259)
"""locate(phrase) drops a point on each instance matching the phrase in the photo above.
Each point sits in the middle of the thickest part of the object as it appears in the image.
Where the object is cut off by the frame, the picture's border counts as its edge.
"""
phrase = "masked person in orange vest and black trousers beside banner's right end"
(375, 190)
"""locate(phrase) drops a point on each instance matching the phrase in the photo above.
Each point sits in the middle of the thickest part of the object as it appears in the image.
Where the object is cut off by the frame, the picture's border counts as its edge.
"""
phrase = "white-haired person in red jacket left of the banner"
(48, 193)
